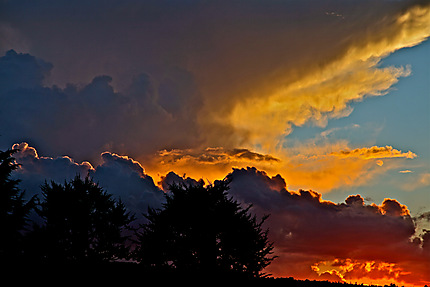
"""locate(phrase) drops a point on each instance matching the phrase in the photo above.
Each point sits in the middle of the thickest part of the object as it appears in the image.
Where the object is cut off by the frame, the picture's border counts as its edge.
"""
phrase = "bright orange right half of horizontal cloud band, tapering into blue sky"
(326, 165)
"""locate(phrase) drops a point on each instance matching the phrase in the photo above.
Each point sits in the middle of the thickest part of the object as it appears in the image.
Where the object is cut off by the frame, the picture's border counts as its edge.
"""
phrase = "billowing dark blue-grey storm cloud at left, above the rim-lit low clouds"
(82, 120)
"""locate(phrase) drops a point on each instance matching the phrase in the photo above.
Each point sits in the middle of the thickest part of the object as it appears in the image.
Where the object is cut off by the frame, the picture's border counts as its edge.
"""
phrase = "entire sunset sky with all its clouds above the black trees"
(319, 112)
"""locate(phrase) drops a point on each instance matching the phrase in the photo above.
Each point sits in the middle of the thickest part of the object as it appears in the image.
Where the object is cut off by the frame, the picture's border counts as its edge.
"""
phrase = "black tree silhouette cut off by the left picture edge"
(14, 210)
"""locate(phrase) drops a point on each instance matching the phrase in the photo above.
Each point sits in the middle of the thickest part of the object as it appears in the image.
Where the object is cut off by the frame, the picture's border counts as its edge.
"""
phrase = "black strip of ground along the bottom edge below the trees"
(128, 274)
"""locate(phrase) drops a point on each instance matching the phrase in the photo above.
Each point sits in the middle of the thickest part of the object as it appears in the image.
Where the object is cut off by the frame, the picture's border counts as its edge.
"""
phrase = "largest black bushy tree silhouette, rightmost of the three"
(200, 229)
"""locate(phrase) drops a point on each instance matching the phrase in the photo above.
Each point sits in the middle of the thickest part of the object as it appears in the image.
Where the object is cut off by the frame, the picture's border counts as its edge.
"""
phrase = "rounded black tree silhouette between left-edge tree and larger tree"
(83, 223)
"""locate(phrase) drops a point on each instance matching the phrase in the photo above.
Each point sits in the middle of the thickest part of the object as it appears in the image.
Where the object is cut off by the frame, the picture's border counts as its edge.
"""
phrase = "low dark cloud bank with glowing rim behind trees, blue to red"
(314, 238)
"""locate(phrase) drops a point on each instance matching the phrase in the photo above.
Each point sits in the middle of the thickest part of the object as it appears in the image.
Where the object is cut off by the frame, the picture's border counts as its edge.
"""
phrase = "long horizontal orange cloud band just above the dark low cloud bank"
(323, 167)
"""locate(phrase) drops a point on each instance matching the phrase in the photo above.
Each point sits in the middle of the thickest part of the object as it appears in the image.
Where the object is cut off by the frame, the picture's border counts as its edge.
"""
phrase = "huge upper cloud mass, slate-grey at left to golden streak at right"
(224, 75)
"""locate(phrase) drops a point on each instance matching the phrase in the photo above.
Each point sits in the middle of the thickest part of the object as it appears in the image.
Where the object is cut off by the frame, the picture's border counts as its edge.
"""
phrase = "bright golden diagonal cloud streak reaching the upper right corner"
(322, 90)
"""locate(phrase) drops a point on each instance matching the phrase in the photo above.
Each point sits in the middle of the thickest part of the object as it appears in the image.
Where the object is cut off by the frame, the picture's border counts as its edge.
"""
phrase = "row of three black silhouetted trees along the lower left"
(198, 230)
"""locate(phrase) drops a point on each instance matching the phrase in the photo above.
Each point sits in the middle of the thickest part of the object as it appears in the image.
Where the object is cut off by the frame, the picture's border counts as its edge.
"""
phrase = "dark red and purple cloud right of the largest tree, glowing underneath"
(373, 240)
